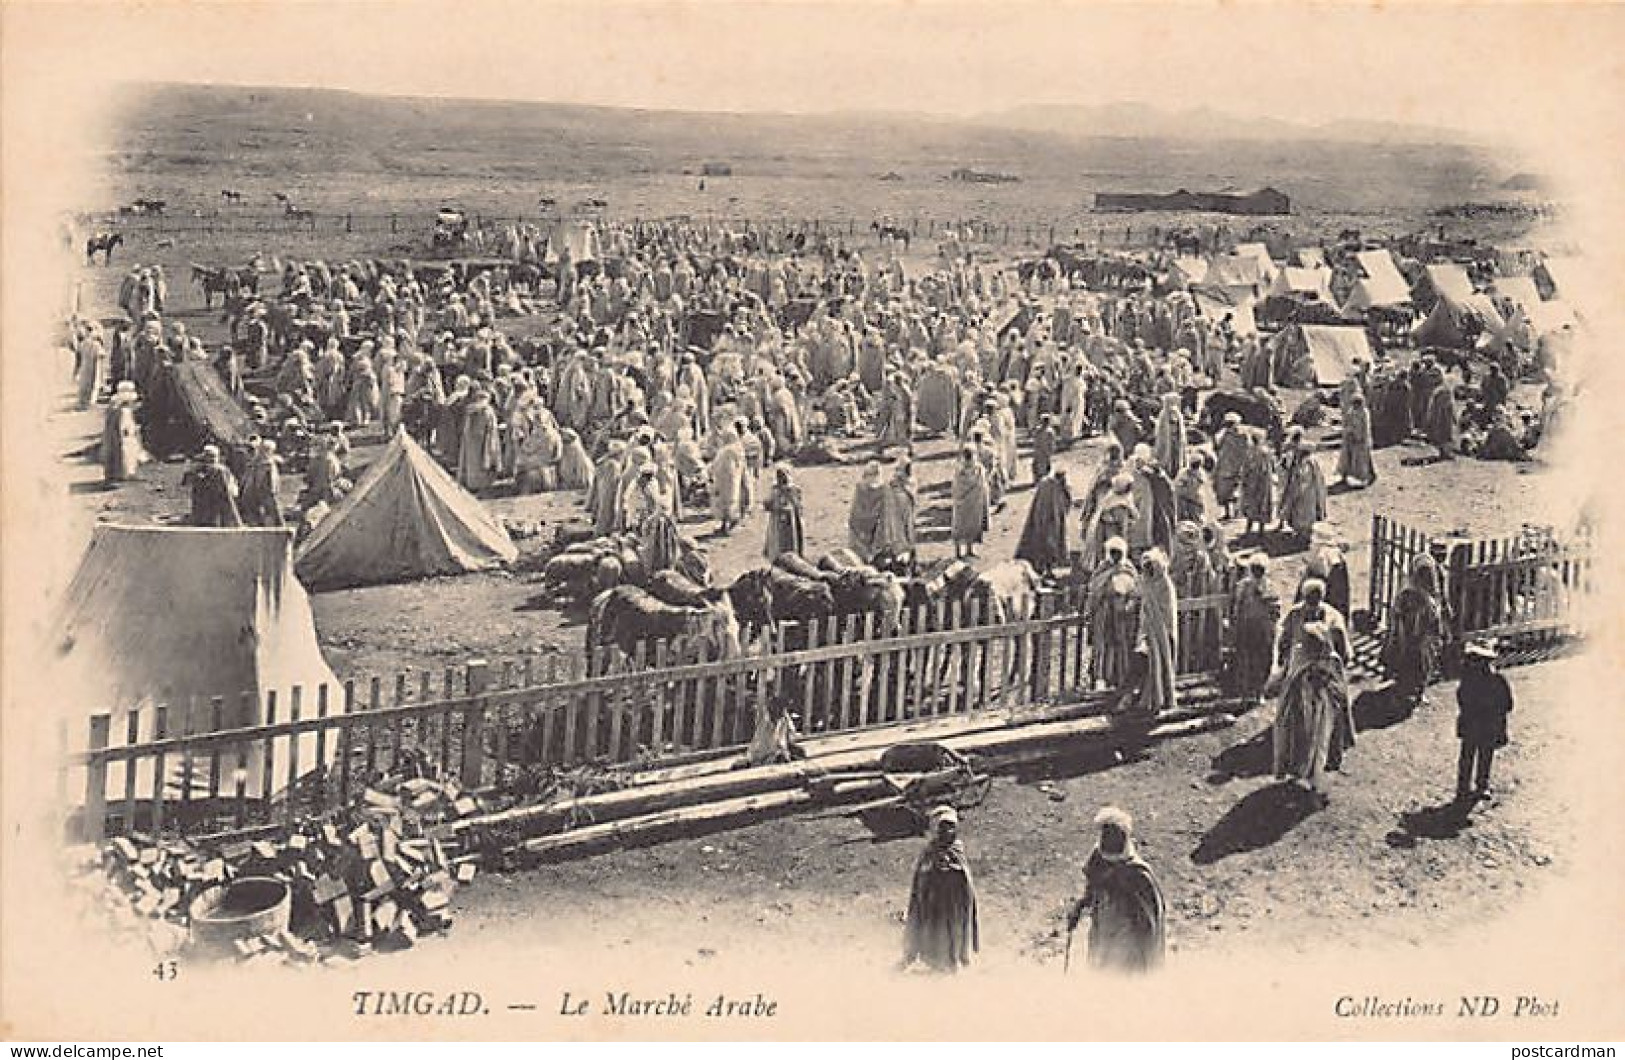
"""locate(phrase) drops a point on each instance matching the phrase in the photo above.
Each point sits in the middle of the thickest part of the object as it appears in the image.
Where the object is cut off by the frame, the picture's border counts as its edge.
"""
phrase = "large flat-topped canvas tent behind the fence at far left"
(171, 617)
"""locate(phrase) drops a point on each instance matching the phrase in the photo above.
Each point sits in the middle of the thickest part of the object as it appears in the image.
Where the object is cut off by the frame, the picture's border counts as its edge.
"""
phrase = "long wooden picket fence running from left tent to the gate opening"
(173, 770)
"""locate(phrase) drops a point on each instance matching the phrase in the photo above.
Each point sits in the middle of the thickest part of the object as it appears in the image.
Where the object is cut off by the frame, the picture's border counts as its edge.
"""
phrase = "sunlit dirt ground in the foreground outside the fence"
(1244, 864)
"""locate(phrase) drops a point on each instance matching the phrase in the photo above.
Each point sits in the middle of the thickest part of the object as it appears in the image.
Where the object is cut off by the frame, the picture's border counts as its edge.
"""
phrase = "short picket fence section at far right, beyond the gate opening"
(1530, 584)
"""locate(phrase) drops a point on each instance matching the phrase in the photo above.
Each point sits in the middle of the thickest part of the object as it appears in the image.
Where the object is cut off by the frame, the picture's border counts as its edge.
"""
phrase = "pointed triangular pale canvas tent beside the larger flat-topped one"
(407, 518)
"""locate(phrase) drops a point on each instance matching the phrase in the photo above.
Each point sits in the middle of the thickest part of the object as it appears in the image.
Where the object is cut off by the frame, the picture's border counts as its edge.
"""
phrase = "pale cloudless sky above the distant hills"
(1476, 69)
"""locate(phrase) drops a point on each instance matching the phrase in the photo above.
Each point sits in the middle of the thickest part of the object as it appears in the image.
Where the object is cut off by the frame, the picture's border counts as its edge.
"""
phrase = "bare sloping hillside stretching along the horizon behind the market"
(337, 149)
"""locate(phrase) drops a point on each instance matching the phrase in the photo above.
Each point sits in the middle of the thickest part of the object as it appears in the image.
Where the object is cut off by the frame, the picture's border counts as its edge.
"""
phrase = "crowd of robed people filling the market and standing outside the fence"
(683, 373)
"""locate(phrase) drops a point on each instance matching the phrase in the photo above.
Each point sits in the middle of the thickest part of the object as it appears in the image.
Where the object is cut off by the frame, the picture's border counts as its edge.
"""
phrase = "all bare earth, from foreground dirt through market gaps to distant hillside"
(1242, 862)
